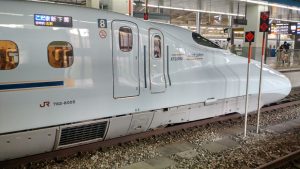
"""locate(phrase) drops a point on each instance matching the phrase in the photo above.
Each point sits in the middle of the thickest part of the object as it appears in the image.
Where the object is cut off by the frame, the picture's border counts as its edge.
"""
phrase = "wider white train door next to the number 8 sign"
(125, 59)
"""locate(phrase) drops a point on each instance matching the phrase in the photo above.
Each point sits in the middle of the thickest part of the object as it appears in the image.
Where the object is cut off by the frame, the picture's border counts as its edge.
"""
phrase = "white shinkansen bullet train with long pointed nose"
(72, 76)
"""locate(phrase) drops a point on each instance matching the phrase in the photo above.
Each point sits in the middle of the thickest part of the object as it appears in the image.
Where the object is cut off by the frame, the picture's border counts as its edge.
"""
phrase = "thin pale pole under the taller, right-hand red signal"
(260, 82)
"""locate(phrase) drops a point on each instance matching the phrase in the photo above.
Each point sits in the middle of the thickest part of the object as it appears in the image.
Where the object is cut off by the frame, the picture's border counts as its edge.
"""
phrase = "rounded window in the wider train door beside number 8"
(125, 39)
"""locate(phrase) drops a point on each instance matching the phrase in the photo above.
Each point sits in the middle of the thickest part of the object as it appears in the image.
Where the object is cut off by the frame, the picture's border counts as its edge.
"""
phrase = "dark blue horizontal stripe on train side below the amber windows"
(30, 85)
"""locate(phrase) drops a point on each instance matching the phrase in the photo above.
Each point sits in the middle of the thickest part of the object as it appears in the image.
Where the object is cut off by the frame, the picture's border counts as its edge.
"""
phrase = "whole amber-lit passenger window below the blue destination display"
(60, 54)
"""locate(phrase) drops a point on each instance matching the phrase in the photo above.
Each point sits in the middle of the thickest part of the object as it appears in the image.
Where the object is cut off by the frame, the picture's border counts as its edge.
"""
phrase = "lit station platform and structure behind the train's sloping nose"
(219, 20)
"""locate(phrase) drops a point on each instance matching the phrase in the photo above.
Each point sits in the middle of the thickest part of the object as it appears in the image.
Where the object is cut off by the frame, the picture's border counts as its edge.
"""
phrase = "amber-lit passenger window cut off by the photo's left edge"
(9, 55)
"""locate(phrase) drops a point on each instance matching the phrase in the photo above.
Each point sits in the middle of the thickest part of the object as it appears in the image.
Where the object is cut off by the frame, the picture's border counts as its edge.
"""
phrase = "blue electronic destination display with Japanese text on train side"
(52, 20)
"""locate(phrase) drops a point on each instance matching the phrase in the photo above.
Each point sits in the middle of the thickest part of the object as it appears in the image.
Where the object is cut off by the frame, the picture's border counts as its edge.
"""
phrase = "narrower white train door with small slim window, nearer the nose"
(157, 74)
